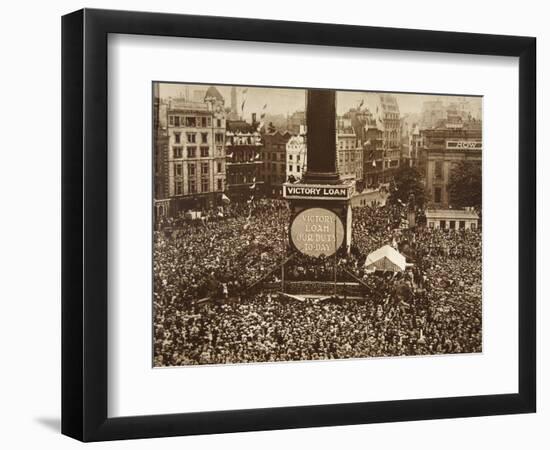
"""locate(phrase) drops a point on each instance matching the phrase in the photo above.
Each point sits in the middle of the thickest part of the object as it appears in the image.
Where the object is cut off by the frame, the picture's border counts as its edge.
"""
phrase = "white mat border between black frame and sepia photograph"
(136, 389)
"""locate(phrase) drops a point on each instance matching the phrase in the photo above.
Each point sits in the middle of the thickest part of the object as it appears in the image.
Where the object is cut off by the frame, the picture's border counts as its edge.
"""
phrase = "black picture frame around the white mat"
(84, 224)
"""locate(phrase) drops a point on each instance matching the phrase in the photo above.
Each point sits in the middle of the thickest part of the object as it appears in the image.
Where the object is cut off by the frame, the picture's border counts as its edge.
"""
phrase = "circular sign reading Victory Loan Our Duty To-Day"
(317, 231)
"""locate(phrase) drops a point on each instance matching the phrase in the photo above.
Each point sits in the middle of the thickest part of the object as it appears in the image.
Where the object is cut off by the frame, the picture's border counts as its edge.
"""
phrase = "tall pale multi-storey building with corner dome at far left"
(195, 153)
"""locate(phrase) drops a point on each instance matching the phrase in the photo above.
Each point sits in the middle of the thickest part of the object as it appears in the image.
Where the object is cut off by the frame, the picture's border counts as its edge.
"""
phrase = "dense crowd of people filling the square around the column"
(213, 303)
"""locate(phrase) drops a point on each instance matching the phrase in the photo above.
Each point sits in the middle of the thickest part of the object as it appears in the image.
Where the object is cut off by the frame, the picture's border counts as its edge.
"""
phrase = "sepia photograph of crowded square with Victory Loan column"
(300, 224)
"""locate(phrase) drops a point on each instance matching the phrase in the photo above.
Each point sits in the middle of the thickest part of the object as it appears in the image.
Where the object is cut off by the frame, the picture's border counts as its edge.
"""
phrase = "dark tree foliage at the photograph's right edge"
(465, 185)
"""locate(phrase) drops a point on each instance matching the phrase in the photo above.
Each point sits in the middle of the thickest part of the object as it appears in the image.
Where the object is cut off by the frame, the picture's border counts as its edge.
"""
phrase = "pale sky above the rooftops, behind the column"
(286, 101)
